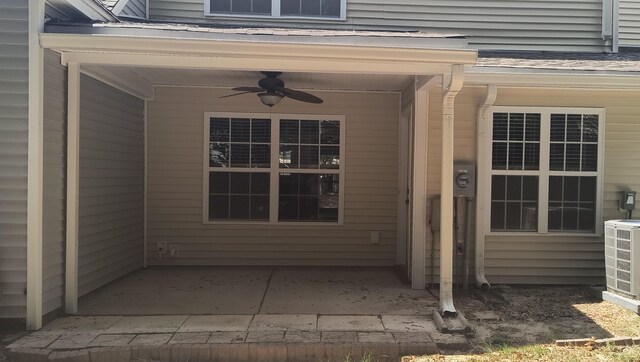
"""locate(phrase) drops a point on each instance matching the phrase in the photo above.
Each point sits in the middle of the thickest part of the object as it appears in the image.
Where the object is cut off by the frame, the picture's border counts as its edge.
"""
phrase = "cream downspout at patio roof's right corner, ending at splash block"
(446, 185)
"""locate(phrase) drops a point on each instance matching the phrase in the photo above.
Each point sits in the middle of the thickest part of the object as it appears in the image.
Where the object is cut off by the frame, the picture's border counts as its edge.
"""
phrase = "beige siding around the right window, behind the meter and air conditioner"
(549, 259)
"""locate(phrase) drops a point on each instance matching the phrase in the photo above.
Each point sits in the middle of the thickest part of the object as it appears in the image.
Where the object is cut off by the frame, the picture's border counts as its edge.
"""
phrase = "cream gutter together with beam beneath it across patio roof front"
(287, 54)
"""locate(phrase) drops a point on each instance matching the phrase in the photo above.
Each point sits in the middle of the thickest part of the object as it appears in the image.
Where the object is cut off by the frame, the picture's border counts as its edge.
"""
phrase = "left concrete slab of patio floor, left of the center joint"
(180, 290)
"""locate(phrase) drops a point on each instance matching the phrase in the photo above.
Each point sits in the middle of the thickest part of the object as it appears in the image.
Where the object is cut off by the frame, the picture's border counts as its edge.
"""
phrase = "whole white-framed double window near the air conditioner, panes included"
(545, 169)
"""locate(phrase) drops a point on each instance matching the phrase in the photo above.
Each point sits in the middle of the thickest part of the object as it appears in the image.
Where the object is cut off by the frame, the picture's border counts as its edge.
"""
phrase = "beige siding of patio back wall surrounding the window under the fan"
(175, 184)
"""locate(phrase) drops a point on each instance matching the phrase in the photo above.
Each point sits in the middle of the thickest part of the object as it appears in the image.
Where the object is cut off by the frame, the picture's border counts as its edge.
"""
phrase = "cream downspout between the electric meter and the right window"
(482, 151)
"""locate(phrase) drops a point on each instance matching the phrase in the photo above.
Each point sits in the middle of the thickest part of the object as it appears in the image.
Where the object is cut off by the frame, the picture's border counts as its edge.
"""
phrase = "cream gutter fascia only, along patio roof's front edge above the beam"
(240, 49)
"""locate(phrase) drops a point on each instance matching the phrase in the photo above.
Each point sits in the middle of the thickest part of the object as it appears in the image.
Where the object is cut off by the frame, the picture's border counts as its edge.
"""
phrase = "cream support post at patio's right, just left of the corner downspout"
(419, 195)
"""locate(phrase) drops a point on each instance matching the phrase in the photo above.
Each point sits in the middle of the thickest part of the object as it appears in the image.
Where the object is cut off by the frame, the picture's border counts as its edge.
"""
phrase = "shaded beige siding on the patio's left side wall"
(111, 215)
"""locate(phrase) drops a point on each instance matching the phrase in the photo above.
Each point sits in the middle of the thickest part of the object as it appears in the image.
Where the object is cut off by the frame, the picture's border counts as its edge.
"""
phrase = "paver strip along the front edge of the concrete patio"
(260, 337)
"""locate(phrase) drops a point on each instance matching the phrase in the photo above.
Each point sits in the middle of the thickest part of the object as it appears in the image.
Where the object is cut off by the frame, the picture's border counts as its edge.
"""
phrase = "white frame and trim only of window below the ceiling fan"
(274, 170)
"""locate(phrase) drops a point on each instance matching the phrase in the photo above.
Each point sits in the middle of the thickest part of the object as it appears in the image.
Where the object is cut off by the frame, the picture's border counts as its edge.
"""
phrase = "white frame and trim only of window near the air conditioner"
(544, 172)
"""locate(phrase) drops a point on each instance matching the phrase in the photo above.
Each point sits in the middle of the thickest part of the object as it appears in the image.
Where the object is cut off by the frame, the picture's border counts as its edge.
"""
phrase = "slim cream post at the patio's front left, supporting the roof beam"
(73, 187)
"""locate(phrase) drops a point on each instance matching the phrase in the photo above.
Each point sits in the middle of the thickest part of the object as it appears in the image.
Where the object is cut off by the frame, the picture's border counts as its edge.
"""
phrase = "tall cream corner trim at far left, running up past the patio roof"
(35, 167)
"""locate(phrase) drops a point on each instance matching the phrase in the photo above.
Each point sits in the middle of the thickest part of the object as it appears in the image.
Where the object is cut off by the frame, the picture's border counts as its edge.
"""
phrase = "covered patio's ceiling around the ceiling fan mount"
(231, 78)
